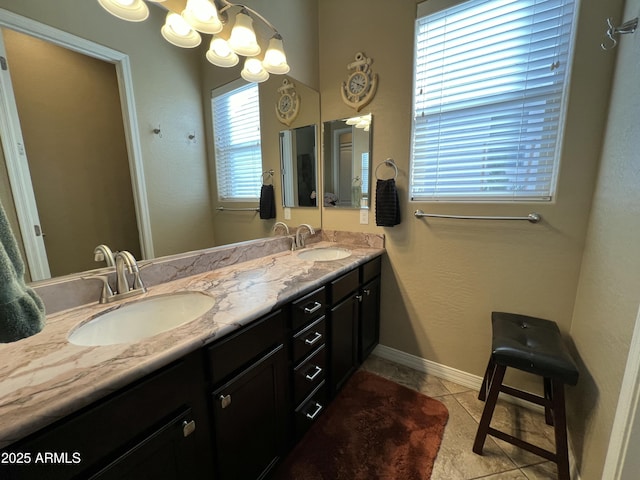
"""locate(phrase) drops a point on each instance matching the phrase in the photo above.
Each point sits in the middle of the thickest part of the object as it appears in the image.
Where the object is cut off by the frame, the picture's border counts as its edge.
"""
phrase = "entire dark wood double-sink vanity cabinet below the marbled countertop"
(230, 410)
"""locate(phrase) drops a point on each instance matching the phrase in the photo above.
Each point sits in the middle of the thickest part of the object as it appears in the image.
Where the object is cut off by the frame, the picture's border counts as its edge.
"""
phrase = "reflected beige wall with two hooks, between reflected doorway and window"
(166, 82)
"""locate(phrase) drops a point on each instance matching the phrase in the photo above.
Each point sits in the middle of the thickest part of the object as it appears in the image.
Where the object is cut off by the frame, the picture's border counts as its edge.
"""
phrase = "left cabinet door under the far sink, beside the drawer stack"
(344, 341)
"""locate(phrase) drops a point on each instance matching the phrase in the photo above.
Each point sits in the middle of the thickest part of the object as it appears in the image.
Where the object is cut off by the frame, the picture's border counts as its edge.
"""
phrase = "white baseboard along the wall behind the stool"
(461, 378)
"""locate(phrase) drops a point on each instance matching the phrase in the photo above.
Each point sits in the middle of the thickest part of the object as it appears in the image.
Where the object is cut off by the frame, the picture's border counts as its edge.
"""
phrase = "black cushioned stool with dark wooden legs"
(535, 346)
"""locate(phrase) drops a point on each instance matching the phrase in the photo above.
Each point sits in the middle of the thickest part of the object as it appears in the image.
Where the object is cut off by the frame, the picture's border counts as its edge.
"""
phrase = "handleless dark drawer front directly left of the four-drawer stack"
(238, 349)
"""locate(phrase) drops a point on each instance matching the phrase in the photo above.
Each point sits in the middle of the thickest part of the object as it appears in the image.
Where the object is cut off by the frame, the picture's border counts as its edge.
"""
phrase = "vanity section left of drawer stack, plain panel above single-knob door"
(248, 399)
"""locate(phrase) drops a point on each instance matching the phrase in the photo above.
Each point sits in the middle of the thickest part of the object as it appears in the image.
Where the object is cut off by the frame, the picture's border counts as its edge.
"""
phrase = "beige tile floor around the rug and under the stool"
(456, 460)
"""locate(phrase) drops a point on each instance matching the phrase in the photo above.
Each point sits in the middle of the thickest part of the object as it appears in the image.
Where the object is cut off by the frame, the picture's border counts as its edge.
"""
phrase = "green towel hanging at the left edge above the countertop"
(21, 310)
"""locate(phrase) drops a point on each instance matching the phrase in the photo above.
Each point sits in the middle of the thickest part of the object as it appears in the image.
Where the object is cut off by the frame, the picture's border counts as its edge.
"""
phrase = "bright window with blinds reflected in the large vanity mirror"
(236, 133)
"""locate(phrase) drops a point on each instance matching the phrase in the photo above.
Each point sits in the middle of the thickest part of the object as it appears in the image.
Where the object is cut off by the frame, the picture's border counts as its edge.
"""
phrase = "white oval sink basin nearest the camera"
(137, 320)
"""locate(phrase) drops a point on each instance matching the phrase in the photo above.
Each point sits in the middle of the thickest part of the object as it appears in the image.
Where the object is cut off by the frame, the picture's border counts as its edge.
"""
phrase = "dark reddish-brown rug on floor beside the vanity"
(374, 429)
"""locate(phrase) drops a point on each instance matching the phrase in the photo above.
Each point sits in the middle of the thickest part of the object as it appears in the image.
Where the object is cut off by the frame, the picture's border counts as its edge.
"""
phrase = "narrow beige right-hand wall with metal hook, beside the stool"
(608, 294)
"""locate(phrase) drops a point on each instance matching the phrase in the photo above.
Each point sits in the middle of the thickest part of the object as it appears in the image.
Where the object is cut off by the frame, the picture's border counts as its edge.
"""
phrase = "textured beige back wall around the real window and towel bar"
(442, 278)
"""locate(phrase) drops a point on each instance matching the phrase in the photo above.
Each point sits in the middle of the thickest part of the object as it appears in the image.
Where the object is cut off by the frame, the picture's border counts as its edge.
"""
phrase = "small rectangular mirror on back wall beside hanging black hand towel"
(347, 151)
